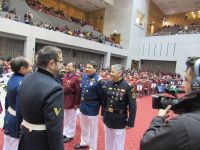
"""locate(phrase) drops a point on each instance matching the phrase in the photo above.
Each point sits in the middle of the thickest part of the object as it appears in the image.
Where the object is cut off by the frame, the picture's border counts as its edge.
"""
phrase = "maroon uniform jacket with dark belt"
(72, 90)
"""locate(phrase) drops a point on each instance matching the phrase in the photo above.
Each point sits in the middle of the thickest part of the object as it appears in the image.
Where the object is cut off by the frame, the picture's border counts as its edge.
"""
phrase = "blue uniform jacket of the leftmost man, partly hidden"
(11, 122)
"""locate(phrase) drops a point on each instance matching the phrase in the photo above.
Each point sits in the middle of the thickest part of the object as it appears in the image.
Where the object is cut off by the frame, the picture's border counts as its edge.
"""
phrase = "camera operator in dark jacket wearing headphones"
(181, 132)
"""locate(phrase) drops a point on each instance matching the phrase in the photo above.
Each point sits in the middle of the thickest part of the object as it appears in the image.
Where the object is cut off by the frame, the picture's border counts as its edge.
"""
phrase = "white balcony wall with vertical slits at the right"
(171, 48)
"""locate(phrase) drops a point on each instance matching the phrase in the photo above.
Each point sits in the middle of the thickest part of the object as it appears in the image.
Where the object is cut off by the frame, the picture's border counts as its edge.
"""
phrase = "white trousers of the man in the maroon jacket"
(69, 123)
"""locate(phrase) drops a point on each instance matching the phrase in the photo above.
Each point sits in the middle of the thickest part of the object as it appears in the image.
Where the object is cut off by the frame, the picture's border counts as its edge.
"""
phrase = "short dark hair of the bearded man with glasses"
(46, 54)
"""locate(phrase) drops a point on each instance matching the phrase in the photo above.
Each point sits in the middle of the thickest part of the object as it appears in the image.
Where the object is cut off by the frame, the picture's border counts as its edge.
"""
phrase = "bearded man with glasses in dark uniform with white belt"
(42, 104)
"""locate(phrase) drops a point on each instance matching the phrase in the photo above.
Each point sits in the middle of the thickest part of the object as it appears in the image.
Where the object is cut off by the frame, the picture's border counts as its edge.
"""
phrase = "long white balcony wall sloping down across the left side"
(32, 34)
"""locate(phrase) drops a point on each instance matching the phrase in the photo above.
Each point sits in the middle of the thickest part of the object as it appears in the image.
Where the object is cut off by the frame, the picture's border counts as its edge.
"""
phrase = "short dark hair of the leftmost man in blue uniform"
(17, 63)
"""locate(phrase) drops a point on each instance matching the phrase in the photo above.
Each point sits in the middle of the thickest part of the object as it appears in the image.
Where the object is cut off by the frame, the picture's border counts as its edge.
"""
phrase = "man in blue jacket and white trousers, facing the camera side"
(91, 96)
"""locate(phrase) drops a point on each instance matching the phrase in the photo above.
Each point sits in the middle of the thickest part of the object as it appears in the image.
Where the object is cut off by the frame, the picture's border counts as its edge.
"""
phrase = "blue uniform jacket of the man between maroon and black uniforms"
(91, 94)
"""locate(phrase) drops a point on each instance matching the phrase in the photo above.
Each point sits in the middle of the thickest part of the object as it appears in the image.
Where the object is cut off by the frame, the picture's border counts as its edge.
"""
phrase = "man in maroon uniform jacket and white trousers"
(72, 91)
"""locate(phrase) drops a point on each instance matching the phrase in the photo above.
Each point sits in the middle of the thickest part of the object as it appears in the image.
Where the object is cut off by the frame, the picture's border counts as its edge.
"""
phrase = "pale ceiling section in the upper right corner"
(177, 6)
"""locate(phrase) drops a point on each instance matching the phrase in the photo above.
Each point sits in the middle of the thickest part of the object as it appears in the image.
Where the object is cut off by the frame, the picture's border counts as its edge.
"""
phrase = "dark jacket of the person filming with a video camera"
(179, 133)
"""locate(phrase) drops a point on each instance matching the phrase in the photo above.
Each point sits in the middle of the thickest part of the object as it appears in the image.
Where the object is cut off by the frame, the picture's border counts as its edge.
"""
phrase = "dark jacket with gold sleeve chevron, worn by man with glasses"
(42, 103)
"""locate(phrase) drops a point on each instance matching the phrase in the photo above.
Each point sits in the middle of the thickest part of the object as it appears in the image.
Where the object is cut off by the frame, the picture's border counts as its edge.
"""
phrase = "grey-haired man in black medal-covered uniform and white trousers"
(119, 109)
